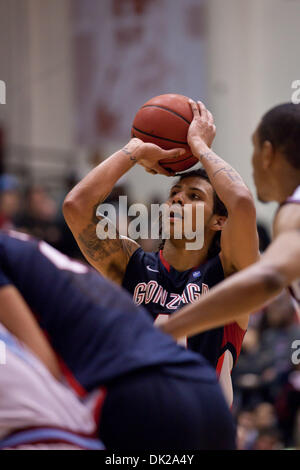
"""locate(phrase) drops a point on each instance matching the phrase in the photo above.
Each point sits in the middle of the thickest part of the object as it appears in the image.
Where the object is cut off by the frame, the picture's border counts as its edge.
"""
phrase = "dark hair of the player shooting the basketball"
(219, 208)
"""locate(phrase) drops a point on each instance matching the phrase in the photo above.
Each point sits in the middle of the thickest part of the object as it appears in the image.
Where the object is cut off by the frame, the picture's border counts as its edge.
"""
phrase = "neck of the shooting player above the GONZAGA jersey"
(182, 259)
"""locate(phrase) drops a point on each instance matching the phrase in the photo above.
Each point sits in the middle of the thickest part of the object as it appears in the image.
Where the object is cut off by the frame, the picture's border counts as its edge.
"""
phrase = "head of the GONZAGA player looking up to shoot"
(194, 188)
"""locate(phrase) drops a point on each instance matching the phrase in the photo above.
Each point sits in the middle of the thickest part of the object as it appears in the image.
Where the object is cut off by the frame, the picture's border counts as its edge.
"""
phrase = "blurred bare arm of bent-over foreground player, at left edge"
(19, 320)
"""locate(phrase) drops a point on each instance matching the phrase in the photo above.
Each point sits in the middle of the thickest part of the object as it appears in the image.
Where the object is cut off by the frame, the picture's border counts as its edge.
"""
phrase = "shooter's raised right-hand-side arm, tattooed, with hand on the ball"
(239, 239)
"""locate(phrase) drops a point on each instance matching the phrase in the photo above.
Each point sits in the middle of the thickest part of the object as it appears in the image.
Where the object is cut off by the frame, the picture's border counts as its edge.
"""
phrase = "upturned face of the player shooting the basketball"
(184, 199)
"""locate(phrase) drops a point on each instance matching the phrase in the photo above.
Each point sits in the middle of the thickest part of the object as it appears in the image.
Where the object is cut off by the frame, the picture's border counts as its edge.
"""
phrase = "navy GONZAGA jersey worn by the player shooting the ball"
(162, 290)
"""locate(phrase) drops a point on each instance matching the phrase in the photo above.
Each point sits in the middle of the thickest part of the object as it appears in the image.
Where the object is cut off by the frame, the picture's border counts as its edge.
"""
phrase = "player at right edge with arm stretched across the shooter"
(276, 171)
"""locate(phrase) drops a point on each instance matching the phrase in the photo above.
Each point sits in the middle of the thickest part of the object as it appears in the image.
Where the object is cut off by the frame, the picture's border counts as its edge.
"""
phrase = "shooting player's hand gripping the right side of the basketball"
(202, 128)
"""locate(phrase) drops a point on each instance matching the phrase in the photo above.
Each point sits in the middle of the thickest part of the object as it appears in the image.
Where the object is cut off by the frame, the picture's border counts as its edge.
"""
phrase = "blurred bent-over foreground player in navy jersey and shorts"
(158, 394)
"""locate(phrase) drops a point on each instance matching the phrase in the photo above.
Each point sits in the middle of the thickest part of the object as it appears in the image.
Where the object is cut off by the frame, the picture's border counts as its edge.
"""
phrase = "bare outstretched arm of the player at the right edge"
(247, 291)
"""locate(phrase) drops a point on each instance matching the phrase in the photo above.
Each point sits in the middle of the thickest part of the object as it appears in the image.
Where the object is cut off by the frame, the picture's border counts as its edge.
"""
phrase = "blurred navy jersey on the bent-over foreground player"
(92, 324)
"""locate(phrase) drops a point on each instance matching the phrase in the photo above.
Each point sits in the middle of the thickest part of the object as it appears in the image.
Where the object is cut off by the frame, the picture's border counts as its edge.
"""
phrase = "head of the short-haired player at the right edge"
(276, 154)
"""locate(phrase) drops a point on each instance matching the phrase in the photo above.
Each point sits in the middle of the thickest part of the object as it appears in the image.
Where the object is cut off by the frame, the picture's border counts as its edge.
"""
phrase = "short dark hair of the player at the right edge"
(281, 127)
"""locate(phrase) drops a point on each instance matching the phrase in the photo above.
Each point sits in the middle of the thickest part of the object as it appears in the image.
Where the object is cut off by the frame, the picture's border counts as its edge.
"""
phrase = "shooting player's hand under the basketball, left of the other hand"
(149, 155)
